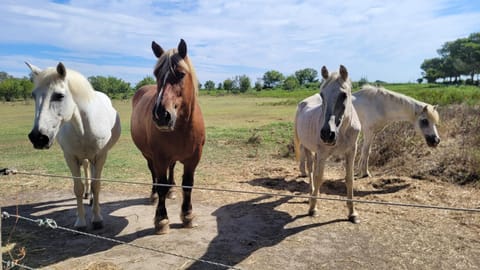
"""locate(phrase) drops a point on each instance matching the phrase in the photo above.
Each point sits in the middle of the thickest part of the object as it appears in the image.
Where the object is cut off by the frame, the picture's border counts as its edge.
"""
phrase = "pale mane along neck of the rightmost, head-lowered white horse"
(432, 113)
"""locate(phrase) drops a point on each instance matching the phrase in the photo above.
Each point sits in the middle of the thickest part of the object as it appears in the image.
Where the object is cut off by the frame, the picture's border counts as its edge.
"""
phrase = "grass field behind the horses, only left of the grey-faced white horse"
(231, 123)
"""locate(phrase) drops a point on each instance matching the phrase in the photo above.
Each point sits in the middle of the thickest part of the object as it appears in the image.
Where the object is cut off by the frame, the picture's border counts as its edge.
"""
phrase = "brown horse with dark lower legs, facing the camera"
(167, 126)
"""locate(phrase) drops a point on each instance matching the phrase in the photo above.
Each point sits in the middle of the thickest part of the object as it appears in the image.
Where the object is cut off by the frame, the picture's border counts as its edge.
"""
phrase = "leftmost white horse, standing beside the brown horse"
(84, 123)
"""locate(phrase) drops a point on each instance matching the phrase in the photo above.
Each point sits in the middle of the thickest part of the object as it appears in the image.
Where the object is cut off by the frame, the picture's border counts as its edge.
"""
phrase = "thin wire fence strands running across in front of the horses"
(49, 223)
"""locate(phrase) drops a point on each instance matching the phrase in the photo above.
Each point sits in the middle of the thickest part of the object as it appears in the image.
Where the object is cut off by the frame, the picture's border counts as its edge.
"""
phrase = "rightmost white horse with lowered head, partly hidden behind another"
(378, 107)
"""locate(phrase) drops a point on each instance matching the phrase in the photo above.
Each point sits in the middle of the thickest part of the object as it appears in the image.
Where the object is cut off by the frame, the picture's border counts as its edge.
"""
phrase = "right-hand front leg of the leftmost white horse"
(96, 172)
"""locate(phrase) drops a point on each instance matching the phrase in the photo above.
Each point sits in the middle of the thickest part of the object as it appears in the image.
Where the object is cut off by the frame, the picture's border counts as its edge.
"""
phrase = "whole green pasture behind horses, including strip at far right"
(250, 125)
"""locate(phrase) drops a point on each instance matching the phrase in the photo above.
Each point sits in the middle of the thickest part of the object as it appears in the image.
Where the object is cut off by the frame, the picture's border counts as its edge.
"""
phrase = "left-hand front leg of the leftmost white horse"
(78, 189)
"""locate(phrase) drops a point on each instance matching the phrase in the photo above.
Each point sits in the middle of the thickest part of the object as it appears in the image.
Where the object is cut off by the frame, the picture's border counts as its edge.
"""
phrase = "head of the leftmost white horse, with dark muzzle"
(53, 104)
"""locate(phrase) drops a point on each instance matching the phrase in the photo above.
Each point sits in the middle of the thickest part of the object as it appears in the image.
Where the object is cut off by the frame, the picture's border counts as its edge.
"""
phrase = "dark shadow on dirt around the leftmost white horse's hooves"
(45, 246)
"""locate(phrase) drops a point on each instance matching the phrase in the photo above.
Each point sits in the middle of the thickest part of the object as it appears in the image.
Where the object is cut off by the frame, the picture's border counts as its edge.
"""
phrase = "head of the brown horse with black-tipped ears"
(176, 86)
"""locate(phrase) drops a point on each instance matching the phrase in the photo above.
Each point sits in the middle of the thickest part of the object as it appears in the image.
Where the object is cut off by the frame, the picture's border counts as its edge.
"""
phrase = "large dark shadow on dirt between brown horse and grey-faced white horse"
(247, 226)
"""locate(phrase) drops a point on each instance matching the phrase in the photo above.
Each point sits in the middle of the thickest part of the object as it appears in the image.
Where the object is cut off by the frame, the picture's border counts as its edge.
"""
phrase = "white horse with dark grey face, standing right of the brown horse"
(325, 125)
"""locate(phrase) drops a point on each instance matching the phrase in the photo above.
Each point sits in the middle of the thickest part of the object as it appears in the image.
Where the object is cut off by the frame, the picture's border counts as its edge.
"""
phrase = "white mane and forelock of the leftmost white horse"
(77, 83)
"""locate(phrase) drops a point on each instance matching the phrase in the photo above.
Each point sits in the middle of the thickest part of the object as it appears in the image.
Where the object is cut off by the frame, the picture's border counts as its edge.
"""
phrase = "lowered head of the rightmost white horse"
(426, 121)
